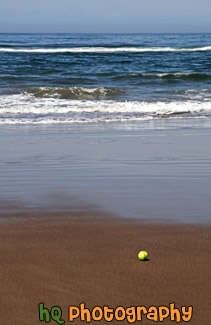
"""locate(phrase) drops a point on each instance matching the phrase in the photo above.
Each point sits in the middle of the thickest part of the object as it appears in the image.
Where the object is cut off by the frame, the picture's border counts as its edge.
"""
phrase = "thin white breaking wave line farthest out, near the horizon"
(104, 49)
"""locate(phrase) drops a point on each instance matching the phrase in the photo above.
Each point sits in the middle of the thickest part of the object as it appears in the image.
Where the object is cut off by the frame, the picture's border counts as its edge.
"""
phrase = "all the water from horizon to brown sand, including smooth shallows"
(120, 123)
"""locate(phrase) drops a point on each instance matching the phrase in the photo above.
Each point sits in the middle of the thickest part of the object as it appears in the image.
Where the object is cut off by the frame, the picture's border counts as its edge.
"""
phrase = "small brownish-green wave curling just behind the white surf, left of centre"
(74, 92)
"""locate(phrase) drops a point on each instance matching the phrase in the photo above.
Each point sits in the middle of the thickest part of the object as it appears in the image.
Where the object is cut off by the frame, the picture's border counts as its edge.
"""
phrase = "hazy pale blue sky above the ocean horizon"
(105, 16)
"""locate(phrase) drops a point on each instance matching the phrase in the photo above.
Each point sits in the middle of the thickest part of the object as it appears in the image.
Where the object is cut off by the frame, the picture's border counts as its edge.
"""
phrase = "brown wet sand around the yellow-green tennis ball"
(68, 258)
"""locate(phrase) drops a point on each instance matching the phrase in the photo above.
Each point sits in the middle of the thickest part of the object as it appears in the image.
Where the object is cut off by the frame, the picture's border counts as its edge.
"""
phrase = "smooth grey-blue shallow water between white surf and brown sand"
(146, 170)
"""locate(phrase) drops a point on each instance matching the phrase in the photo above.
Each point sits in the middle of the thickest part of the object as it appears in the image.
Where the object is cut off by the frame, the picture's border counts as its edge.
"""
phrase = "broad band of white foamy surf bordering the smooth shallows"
(25, 108)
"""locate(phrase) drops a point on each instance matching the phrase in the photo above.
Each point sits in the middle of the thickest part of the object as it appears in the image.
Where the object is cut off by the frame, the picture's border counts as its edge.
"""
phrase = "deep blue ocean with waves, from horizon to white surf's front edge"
(92, 78)
